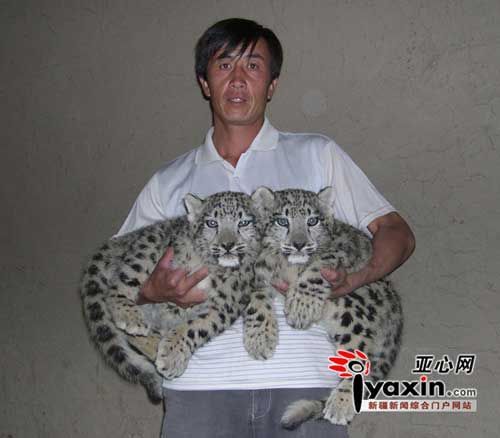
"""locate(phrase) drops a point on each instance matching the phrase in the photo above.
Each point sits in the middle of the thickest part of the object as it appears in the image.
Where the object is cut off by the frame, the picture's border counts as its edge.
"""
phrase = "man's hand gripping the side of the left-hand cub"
(172, 284)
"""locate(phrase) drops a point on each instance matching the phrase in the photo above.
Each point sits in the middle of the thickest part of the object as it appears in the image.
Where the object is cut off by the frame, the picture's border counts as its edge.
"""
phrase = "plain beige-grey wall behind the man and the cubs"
(96, 95)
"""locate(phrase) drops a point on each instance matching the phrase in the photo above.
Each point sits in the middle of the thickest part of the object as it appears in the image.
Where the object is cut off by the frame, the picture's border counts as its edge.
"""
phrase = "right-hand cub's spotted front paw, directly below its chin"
(305, 300)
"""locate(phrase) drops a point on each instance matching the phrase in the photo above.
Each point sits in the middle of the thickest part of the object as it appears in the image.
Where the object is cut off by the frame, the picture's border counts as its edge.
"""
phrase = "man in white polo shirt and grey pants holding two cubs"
(223, 392)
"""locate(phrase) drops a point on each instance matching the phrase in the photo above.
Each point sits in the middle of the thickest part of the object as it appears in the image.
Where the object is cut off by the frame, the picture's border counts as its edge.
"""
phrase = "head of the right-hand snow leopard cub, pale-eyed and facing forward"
(297, 221)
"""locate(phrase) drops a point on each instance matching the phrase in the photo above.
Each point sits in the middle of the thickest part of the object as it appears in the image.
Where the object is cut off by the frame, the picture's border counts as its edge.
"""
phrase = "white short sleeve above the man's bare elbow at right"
(357, 201)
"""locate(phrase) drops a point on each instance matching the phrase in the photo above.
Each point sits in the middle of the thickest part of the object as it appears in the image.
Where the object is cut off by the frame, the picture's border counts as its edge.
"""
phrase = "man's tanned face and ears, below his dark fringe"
(239, 86)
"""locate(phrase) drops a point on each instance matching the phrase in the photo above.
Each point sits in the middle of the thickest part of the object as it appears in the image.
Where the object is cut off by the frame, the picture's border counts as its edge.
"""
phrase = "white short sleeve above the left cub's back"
(146, 210)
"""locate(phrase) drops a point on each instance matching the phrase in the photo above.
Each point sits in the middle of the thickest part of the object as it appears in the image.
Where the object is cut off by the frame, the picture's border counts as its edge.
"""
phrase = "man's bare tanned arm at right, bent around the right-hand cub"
(393, 242)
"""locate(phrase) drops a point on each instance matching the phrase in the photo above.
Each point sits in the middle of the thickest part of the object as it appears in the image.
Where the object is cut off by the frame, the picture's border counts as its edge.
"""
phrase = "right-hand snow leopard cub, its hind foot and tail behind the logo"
(301, 236)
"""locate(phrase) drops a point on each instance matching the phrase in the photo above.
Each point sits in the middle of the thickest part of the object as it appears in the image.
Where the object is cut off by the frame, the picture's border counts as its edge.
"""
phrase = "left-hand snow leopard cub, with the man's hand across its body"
(219, 232)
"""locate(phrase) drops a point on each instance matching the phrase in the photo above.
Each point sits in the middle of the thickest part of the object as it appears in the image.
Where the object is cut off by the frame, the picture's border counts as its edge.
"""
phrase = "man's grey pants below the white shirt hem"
(245, 414)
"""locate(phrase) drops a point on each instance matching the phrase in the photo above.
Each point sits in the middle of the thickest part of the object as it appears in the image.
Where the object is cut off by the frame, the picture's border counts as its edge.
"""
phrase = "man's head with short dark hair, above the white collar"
(237, 65)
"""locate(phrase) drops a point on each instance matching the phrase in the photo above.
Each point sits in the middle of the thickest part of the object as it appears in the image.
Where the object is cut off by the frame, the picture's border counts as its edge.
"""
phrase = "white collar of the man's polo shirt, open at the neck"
(266, 140)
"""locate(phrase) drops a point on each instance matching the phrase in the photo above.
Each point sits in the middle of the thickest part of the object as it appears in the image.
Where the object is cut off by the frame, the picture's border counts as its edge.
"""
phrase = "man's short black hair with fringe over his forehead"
(232, 33)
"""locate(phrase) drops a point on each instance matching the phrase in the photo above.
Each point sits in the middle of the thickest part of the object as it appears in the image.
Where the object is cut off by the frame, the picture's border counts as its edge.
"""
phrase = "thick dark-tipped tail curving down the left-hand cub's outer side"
(112, 342)
